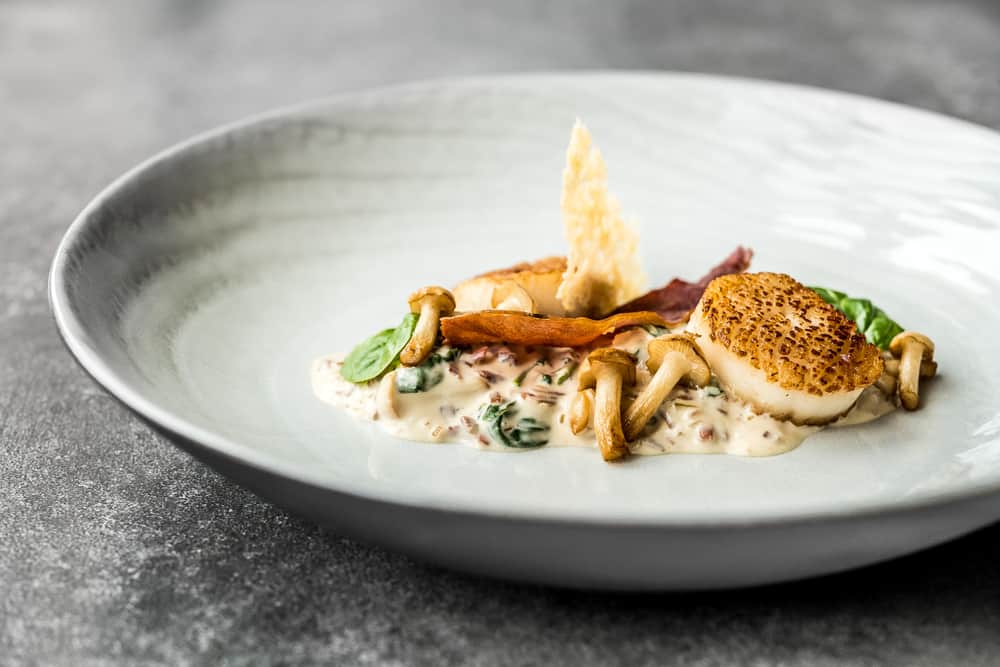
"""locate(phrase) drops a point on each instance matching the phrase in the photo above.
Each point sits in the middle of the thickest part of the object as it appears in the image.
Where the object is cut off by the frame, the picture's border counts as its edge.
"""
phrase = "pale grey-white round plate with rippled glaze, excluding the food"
(198, 288)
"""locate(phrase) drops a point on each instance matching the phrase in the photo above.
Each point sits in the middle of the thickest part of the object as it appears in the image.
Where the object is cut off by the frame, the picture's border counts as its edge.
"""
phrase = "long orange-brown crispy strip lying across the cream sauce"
(506, 326)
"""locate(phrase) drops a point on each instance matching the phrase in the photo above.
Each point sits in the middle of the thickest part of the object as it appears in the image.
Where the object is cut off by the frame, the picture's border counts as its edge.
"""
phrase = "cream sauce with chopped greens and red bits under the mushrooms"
(531, 390)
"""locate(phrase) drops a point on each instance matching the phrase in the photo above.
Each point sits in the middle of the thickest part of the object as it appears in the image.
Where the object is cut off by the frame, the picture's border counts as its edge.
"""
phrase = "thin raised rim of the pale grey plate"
(73, 333)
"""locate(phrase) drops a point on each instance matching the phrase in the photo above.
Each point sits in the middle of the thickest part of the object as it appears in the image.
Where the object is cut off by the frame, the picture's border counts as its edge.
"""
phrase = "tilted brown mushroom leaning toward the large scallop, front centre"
(672, 358)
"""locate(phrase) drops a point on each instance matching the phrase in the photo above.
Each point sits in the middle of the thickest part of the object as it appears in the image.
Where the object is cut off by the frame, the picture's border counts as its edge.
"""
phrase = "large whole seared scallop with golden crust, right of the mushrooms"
(775, 344)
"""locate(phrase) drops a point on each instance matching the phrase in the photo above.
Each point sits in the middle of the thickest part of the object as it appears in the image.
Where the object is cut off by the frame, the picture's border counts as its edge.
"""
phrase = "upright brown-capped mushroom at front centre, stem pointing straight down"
(609, 370)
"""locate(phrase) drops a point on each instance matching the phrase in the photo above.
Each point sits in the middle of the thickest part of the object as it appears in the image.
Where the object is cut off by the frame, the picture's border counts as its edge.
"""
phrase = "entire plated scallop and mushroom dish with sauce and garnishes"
(574, 351)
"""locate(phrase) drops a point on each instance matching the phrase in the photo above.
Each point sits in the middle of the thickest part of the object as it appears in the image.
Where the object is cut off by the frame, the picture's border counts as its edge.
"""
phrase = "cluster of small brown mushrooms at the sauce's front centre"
(607, 371)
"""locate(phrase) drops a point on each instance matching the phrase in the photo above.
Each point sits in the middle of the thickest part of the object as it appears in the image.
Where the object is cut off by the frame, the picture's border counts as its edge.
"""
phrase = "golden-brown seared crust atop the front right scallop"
(786, 330)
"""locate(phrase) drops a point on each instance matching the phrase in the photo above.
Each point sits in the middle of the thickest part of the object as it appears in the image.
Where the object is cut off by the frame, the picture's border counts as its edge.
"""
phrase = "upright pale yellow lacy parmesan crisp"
(603, 268)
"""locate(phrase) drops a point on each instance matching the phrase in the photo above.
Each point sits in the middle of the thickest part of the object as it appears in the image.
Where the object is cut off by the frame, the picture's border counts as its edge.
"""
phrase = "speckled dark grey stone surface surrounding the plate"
(116, 548)
